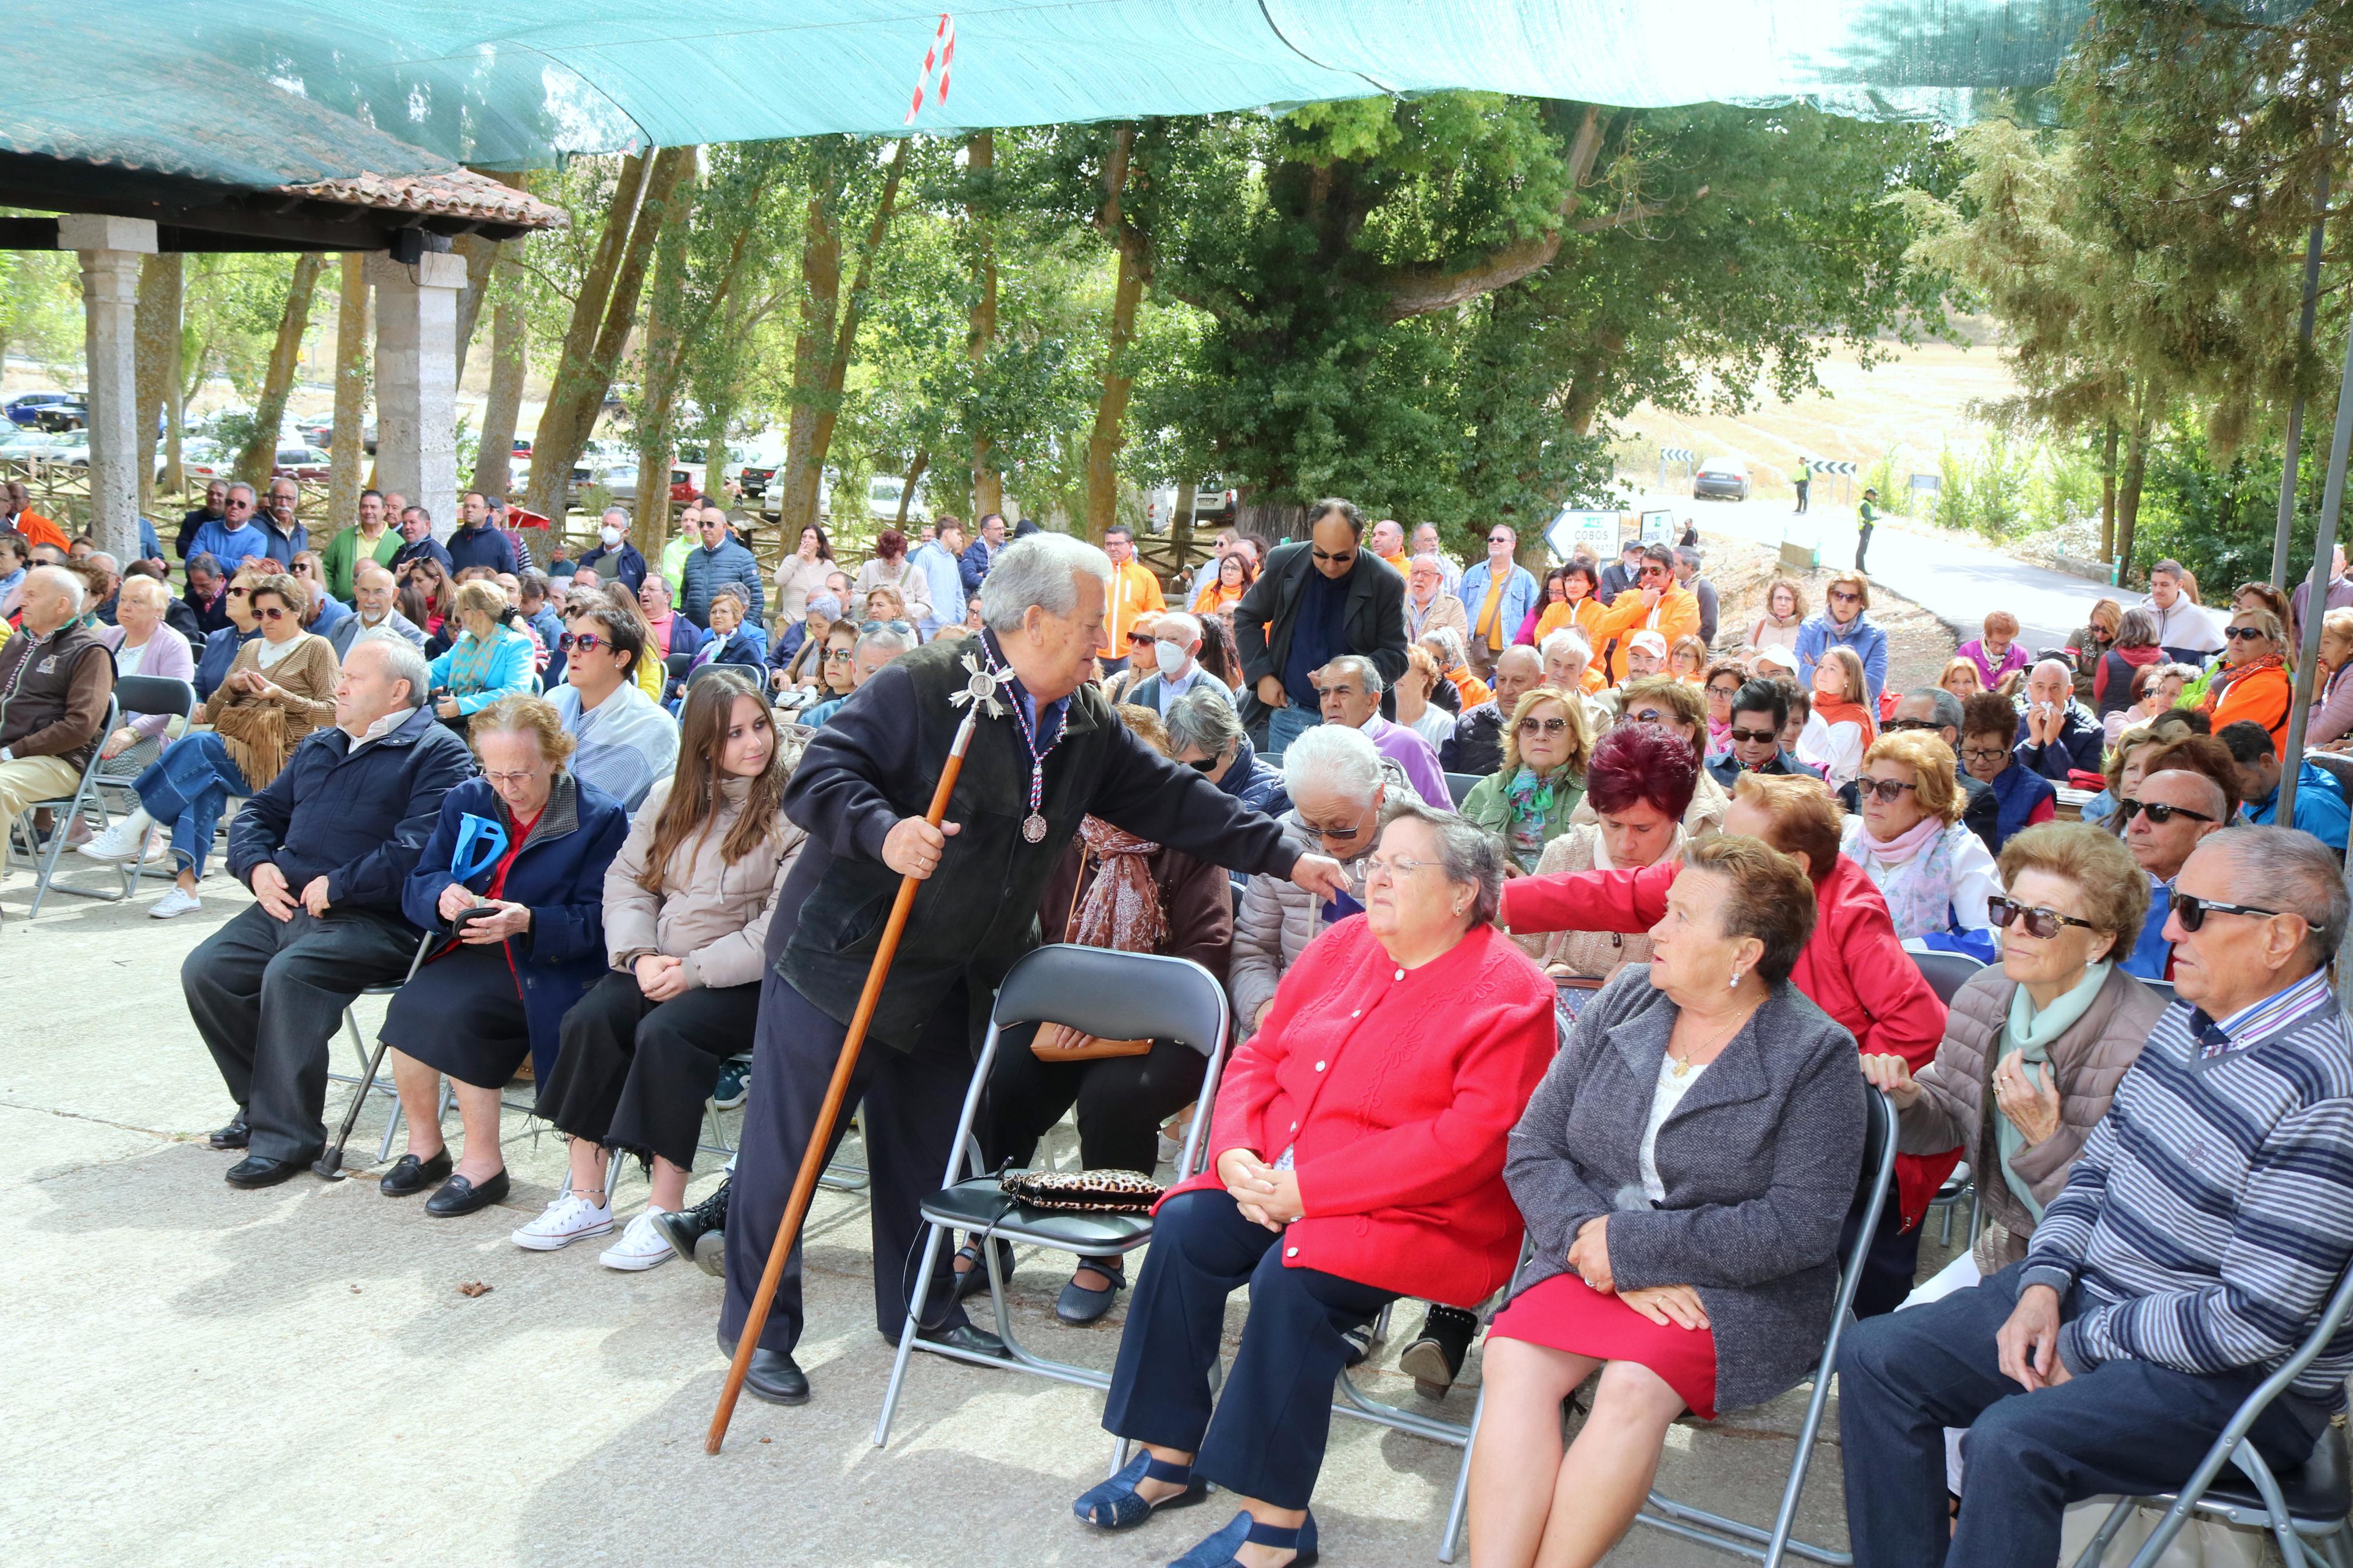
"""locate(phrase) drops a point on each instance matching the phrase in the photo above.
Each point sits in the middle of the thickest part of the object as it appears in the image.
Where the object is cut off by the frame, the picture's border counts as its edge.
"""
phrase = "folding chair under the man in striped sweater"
(2300, 1506)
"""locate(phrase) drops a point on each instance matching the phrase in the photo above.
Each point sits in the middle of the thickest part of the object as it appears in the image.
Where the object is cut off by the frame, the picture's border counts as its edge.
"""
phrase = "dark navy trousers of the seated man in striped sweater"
(2121, 1428)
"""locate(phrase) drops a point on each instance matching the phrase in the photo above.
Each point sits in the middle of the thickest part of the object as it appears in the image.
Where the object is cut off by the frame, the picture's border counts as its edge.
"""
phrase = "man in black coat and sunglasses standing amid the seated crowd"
(1317, 601)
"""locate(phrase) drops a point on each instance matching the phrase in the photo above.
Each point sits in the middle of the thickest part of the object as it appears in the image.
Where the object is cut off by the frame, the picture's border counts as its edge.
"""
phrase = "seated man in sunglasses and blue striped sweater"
(2187, 1257)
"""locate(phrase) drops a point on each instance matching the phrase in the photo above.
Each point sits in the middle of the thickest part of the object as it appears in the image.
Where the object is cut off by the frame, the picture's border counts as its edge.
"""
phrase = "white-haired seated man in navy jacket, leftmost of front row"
(326, 850)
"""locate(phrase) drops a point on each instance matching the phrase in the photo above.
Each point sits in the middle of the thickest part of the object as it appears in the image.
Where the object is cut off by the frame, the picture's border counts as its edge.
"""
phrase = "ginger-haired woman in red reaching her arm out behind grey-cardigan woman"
(1853, 967)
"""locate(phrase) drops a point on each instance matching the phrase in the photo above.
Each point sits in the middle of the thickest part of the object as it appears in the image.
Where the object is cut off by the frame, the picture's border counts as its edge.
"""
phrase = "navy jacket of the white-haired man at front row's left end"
(356, 822)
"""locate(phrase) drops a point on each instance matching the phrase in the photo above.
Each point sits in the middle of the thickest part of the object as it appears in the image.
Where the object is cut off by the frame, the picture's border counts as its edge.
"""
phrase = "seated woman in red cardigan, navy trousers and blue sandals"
(1357, 1158)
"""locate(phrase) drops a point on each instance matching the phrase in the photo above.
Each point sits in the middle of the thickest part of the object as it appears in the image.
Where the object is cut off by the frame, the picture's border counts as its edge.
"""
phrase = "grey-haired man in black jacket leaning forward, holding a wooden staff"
(862, 791)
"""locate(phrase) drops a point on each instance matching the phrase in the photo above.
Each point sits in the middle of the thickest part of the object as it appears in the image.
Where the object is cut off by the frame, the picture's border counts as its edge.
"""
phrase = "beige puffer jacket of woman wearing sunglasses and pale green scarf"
(1957, 1097)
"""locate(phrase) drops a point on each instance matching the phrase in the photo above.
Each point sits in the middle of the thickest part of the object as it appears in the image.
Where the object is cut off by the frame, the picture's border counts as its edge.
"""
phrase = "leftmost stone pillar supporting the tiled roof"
(112, 250)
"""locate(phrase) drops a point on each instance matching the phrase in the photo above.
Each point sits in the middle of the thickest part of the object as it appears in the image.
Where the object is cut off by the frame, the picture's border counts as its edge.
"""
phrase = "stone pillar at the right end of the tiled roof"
(418, 380)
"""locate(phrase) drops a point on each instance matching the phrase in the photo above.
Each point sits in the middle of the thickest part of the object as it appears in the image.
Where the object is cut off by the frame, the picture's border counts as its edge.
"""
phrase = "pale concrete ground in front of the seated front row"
(295, 1376)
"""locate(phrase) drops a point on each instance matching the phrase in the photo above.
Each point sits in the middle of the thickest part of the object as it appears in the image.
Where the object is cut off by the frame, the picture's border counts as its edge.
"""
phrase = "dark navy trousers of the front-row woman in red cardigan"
(1269, 1430)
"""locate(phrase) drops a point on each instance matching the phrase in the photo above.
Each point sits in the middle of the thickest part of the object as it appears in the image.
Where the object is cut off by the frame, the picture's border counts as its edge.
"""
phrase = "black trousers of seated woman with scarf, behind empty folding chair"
(1121, 1101)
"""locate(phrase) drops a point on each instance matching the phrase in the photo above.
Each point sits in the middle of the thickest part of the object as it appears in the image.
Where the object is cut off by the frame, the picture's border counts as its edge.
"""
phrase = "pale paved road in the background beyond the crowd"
(1952, 577)
